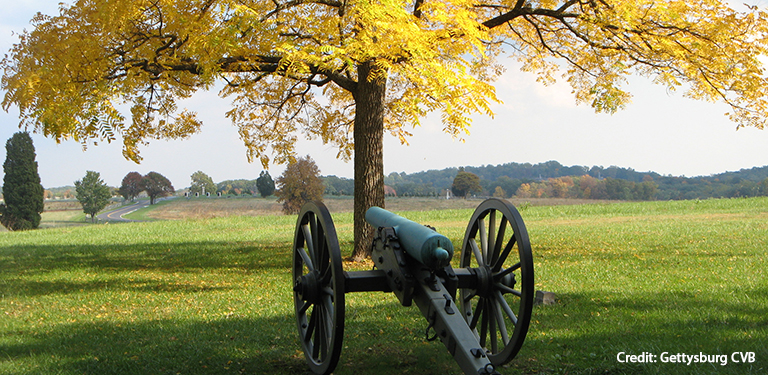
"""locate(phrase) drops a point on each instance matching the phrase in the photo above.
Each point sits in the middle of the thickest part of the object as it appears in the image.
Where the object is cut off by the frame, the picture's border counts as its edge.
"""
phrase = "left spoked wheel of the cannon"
(318, 291)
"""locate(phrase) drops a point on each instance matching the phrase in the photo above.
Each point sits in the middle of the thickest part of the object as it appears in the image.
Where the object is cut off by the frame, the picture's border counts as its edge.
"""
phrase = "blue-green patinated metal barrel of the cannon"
(420, 242)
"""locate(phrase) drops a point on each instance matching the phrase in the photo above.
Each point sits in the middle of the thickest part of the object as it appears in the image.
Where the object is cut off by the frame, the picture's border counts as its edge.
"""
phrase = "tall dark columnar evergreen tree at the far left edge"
(22, 192)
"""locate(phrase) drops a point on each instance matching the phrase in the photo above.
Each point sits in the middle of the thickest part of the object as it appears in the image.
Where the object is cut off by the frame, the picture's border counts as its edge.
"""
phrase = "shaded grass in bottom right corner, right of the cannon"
(584, 333)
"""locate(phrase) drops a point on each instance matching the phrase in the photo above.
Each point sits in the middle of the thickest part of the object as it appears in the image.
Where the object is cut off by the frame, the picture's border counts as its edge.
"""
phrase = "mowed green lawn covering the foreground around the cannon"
(213, 296)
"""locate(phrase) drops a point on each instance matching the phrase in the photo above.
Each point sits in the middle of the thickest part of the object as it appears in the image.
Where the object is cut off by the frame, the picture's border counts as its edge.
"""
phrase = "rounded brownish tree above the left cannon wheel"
(300, 183)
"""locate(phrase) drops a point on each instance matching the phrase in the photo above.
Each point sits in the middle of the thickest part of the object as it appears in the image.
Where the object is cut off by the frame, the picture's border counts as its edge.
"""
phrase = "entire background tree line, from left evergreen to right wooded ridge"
(24, 195)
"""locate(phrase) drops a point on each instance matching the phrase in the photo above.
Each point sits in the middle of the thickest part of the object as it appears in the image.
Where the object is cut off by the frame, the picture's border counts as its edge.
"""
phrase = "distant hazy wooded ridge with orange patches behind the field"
(552, 179)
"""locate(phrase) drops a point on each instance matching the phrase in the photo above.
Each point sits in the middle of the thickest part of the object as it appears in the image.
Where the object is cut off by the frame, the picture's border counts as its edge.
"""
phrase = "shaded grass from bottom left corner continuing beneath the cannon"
(239, 345)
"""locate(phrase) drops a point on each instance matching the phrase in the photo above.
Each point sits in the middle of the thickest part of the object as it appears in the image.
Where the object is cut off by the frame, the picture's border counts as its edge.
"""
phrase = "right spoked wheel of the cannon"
(496, 247)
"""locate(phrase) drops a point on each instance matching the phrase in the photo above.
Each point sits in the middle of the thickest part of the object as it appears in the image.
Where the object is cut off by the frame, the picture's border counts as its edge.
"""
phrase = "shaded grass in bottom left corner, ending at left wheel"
(230, 346)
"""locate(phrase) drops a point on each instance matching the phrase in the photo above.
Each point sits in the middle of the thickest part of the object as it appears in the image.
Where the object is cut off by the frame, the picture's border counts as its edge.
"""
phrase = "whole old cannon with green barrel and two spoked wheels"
(480, 310)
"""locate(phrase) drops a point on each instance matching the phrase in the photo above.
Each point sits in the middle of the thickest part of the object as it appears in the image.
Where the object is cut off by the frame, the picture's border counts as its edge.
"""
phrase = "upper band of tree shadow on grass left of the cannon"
(100, 267)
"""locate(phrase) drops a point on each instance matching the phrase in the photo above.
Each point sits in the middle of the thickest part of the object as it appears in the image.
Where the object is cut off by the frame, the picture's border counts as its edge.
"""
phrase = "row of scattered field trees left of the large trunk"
(24, 196)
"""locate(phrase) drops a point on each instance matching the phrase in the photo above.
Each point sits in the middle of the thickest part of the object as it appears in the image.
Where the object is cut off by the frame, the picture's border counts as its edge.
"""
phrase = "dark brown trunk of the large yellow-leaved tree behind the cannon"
(369, 154)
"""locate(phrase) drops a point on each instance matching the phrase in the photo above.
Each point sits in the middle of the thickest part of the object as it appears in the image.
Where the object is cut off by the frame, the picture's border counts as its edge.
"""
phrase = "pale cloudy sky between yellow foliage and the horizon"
(659, 131)
